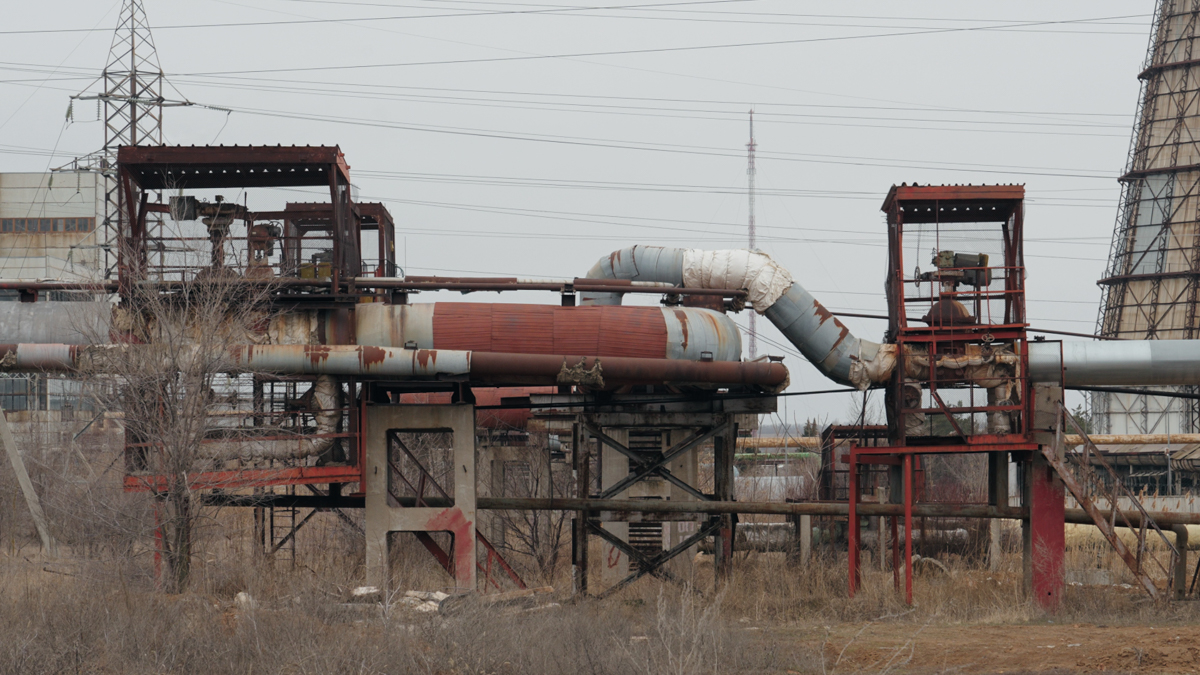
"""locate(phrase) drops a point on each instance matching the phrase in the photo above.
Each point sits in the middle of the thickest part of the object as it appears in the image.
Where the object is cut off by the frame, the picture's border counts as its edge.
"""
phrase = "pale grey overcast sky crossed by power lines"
(531, 139)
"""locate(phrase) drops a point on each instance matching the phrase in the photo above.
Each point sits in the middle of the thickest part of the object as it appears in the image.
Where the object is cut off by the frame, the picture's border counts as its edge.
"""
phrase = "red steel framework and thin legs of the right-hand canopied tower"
(1000, 208)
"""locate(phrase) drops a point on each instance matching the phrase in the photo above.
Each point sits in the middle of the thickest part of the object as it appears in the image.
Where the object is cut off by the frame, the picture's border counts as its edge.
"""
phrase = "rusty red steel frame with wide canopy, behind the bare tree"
(339, 224)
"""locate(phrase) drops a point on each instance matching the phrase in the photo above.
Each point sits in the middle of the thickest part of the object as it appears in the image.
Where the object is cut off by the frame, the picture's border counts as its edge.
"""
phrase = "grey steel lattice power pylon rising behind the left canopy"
(133, 105)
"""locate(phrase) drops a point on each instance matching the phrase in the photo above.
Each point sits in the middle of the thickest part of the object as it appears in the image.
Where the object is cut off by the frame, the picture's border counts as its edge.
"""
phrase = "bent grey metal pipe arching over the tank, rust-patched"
(802, 319)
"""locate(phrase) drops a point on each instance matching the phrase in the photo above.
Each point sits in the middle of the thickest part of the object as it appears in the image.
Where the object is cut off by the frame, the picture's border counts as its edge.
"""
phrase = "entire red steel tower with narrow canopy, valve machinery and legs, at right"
(961, 380)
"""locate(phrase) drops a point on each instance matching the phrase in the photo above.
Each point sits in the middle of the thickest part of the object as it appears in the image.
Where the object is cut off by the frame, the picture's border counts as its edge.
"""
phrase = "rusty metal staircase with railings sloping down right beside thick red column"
(1090, 487)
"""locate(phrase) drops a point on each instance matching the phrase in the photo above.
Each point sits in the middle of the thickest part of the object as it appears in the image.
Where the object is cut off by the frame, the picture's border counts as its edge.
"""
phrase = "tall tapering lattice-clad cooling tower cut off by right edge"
(1153, 284)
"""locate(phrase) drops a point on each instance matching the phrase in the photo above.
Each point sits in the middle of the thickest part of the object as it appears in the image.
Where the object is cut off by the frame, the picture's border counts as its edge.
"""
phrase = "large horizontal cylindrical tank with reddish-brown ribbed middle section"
(658, 333)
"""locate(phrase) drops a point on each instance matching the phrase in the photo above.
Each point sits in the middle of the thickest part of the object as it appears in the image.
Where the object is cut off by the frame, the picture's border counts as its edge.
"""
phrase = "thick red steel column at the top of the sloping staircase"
(1047, 534)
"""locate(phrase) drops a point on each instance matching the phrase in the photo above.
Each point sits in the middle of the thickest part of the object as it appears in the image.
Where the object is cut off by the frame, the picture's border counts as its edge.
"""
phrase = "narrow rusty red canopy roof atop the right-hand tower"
(955, 204)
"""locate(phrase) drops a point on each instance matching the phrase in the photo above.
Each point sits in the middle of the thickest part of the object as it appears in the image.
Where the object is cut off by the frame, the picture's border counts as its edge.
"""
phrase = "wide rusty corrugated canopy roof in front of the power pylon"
(199, 168)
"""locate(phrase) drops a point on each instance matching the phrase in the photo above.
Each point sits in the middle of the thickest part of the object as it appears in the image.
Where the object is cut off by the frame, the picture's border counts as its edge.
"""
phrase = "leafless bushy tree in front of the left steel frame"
(170, 379)
